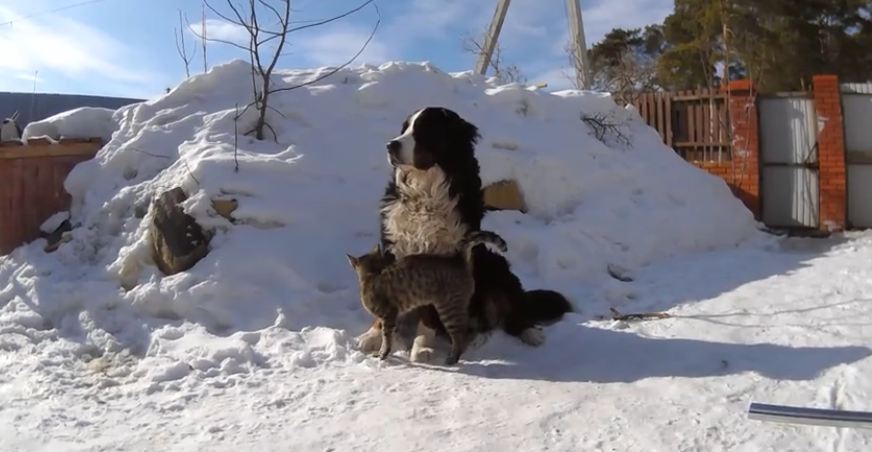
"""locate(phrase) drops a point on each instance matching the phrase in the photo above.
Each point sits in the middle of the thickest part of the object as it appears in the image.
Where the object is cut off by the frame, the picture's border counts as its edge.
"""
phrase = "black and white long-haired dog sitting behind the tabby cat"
(433, 200)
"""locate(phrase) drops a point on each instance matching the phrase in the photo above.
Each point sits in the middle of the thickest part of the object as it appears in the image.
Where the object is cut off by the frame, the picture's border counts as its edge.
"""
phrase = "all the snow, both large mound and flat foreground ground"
(253, 346)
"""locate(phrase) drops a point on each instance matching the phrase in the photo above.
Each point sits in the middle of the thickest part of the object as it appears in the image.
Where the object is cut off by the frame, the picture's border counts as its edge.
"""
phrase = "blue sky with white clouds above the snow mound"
(126, 47)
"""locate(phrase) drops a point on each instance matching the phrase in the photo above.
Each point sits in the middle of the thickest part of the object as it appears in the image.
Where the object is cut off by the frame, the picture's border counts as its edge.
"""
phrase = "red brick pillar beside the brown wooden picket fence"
(744, 179)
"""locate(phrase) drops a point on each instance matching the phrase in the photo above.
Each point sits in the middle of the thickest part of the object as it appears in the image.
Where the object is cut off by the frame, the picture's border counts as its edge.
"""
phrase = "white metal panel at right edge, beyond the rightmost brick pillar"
(857, 112)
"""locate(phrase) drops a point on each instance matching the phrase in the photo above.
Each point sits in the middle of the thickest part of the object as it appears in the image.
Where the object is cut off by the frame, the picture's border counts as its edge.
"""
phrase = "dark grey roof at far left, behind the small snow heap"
(34, 107)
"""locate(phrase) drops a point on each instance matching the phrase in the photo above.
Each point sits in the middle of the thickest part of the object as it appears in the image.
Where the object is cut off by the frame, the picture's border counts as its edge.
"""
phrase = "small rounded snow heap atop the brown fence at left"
(83, 122)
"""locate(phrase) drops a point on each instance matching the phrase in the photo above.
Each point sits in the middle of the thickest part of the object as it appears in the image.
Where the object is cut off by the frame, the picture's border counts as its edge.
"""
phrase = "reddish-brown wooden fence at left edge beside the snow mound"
(32, 185)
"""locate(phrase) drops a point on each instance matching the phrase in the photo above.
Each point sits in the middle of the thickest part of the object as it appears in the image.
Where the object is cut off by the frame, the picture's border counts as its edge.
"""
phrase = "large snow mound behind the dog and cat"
(275, 285)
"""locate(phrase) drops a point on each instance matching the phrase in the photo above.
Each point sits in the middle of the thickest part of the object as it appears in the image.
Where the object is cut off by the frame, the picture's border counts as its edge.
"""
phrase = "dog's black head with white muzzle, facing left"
(433, 136)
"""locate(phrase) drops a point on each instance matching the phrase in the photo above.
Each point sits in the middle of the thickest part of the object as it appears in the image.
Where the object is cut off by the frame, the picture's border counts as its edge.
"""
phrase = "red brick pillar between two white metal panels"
(831, 151)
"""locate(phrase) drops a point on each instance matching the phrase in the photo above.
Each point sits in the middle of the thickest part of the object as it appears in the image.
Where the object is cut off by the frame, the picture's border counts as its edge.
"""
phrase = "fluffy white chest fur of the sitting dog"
(424, 220)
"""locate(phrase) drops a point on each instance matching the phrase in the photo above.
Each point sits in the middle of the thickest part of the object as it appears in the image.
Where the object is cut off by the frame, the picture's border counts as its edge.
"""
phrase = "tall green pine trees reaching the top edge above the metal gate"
(780, 44)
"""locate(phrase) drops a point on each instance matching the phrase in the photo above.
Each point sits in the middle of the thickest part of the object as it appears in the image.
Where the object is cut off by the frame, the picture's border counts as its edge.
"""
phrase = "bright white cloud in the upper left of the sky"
(69, 48)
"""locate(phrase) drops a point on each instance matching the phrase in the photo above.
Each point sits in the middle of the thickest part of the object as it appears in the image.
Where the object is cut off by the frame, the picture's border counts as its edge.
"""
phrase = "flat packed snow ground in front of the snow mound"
(777, 320)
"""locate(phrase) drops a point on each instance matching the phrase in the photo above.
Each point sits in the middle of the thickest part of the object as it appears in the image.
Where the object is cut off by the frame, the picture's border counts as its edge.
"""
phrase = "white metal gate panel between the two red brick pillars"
(789, 158)
